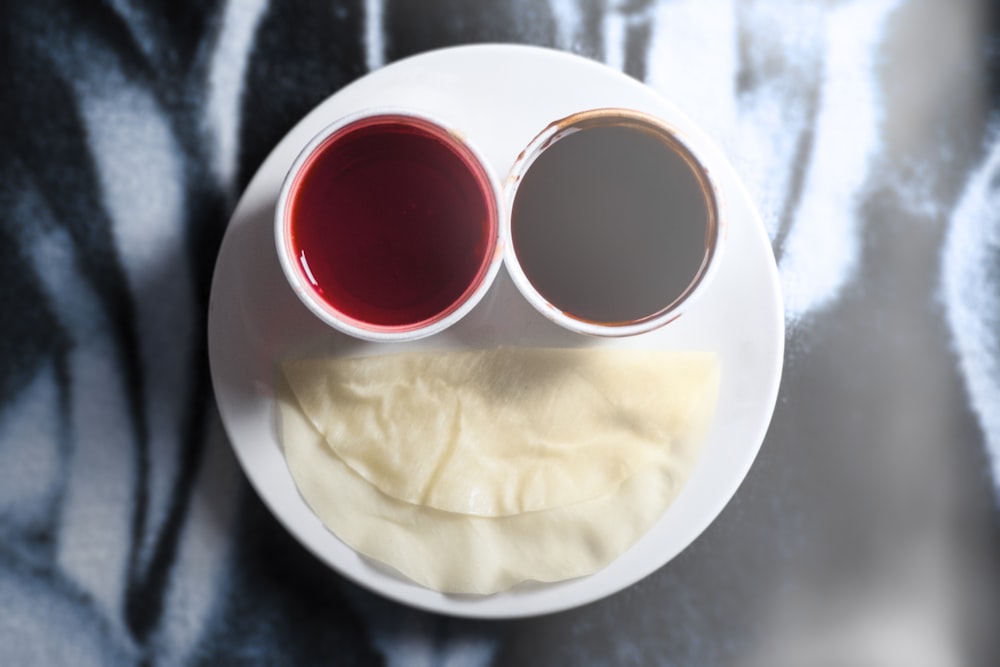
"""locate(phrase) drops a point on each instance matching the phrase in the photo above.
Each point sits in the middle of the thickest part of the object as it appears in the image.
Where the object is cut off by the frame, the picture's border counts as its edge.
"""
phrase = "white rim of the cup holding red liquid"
(477, 288)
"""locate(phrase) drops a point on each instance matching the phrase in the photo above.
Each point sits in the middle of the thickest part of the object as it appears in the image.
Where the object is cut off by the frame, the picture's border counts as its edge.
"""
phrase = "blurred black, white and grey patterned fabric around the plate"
(865, 534)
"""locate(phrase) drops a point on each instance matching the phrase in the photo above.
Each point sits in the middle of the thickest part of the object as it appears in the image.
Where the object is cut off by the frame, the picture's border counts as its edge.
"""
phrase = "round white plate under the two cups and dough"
(500, 96)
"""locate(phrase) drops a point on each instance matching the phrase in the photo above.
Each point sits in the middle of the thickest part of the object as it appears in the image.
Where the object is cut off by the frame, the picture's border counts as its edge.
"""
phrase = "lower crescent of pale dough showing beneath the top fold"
(458, 553)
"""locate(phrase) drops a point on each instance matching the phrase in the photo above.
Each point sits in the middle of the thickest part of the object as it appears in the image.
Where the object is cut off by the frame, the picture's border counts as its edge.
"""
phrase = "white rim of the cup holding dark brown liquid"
(688, 148)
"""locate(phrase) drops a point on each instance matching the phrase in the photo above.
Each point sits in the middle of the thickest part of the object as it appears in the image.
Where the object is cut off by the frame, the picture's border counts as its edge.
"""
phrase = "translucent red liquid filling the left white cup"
(393, 222)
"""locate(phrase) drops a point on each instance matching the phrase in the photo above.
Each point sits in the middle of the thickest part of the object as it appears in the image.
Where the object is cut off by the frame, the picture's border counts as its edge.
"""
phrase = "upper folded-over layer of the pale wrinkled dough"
(508, 430)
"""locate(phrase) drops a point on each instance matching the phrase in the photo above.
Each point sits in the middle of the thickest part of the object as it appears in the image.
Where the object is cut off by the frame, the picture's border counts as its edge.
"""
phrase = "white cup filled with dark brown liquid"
(616, 225)
